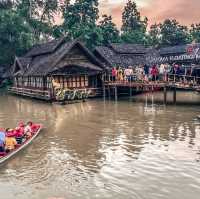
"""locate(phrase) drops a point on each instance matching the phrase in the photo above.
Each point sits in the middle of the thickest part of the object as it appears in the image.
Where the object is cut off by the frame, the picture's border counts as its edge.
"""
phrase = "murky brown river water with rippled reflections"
(136, 149)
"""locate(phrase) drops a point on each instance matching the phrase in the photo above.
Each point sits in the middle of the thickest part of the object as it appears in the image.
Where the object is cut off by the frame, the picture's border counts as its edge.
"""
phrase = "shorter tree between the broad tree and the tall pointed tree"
(109, 31)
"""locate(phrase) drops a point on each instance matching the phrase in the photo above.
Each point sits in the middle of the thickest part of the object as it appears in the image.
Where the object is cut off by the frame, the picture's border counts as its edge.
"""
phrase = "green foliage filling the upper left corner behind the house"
(24, 23)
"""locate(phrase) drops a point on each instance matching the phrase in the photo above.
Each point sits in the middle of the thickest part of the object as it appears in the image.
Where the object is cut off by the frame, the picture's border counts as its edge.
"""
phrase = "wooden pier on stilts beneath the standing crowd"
(112, 88)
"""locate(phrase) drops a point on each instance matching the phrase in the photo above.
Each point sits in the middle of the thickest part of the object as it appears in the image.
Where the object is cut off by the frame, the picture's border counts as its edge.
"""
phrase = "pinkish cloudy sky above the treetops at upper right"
(185, 11)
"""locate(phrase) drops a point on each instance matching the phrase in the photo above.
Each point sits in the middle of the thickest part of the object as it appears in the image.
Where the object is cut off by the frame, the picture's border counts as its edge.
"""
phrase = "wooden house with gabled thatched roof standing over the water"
(47, 69)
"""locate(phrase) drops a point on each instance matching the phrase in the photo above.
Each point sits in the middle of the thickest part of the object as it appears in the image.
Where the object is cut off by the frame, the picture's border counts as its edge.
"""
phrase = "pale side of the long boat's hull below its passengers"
(18, 148)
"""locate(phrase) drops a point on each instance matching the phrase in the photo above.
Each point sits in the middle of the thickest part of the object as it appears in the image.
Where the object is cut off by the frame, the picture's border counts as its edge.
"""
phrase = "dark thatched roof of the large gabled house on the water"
(46, 58)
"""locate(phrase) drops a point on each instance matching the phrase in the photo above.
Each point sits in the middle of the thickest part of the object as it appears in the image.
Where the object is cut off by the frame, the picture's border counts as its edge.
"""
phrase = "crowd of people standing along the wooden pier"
(149, 73)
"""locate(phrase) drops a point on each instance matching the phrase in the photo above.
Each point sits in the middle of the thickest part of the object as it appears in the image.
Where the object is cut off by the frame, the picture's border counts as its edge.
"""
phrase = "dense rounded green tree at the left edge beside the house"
(15, 36)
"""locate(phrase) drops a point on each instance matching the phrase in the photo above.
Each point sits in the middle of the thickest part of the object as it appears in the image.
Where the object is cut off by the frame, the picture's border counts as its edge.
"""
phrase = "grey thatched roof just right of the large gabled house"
(123, 55)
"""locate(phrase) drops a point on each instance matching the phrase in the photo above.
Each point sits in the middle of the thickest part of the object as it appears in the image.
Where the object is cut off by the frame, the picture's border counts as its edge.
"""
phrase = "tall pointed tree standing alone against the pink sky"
(133, 27)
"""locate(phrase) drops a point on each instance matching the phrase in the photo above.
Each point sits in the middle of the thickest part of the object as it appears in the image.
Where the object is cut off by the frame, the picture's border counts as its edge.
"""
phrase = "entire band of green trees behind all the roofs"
(24, 23)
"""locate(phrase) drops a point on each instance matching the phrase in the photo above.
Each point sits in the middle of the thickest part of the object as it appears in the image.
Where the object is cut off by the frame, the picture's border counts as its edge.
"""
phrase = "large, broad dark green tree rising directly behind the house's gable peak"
(80, 22)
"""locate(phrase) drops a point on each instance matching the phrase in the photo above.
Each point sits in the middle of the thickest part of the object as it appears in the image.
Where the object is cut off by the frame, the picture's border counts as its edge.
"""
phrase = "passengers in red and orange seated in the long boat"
(10, 138)
